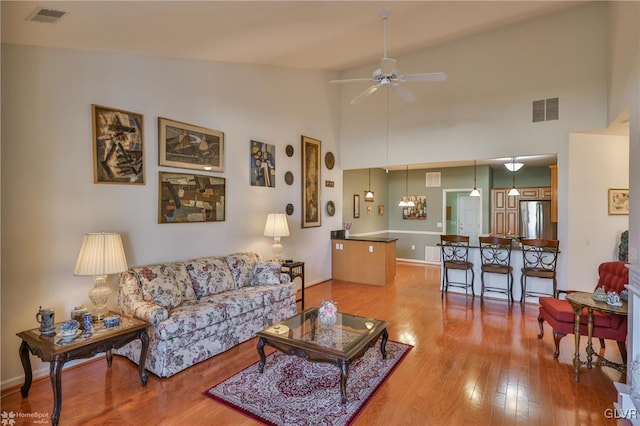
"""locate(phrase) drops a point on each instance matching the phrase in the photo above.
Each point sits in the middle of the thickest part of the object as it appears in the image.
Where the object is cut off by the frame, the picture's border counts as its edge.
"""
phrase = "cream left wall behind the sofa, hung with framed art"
(49, 200)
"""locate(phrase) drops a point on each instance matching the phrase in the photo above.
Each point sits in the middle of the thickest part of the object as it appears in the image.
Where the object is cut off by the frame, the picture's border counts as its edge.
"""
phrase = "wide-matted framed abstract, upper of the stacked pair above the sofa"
(190, 147)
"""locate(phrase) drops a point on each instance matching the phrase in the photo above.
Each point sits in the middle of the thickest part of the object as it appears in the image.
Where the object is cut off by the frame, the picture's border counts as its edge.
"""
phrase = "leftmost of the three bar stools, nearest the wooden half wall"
(455, 255)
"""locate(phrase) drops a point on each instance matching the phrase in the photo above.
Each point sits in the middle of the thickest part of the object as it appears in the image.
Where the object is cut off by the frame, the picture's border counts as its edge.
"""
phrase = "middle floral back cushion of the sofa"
(210, 275)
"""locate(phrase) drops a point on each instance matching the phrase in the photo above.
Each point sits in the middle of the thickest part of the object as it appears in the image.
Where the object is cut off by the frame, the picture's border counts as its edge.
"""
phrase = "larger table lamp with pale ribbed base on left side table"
(101, 254)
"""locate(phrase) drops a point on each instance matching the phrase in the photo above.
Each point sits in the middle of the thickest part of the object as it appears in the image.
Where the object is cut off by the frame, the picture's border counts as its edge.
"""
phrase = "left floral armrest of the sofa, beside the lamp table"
(131, 302)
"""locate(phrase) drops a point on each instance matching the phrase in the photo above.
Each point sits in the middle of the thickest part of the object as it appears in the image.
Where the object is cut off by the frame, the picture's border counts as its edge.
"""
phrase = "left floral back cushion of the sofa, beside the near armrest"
(158, 283)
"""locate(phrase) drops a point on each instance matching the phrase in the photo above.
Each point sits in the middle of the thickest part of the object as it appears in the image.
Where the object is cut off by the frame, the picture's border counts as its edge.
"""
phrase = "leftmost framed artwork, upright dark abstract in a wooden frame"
(118, 146)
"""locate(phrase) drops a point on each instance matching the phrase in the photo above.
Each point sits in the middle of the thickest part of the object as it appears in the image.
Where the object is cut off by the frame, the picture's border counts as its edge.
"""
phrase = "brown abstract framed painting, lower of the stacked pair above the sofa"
(188, 198)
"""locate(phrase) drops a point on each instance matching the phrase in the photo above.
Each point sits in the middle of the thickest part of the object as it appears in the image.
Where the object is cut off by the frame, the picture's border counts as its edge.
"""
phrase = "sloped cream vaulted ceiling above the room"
(315, 35)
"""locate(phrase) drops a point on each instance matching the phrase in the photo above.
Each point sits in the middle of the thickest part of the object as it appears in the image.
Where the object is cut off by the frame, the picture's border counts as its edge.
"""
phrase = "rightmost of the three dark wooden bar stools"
(539, 257)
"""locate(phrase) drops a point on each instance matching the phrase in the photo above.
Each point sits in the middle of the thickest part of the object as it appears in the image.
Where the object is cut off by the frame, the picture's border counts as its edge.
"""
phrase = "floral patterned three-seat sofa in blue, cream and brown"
(202, 307)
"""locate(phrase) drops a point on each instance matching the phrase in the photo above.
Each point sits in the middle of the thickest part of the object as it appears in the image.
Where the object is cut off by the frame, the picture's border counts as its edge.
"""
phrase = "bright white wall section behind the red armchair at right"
(597, 163)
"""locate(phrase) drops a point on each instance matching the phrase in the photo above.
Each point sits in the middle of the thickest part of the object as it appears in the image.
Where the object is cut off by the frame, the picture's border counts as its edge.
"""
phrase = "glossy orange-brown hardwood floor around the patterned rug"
(472, 363)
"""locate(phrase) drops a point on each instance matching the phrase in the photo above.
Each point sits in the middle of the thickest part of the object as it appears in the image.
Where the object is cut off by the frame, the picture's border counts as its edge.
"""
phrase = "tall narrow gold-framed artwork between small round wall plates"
(311, 201)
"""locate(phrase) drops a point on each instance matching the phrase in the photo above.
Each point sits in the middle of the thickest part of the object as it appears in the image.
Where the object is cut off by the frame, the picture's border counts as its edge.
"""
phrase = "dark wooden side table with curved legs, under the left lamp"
(56, 352)
